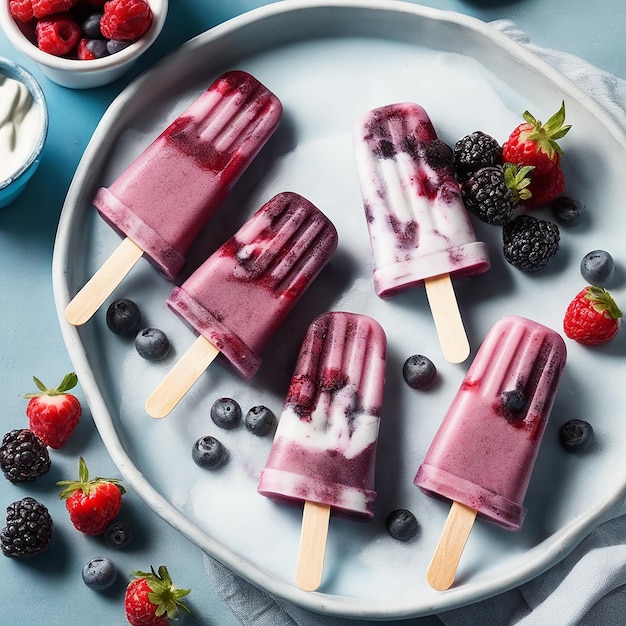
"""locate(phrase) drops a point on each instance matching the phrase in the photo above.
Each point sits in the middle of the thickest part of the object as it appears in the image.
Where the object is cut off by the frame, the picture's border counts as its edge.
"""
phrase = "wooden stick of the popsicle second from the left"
(181, 377)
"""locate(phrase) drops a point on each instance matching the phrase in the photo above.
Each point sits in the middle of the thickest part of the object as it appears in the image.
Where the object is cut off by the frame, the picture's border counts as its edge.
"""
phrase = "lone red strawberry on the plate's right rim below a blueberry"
(592, 317)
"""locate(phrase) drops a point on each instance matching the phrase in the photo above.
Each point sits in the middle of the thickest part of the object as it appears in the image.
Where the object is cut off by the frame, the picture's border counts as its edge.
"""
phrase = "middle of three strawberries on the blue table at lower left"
(92, 504)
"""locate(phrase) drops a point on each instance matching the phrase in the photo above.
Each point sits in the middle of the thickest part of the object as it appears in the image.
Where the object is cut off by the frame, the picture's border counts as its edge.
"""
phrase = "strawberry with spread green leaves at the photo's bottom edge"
(152, 600)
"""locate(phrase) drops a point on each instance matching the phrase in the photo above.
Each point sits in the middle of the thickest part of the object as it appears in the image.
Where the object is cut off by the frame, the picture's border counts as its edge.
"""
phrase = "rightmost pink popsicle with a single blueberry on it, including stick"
(483, 454)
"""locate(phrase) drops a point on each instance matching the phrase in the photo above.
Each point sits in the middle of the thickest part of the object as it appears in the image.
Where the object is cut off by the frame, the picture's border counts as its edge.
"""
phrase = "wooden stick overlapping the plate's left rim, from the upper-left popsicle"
(101, 285)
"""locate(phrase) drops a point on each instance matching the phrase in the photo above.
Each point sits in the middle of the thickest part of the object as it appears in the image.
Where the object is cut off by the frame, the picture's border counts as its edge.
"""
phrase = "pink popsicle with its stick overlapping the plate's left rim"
(163, 199)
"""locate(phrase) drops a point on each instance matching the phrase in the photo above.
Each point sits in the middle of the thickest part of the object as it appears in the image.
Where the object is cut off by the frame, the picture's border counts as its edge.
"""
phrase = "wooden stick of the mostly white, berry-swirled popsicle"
(447, 317)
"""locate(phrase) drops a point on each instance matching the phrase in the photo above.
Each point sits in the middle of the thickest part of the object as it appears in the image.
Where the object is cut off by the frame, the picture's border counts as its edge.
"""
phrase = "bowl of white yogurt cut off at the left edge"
(23, 129)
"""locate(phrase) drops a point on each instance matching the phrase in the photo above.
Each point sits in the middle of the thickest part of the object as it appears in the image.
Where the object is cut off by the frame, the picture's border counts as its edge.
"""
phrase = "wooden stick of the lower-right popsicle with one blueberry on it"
(454, 536)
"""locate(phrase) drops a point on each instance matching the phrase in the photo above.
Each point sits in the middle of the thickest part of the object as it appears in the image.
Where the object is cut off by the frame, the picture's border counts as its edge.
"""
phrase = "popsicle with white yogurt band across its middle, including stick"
(323, 454)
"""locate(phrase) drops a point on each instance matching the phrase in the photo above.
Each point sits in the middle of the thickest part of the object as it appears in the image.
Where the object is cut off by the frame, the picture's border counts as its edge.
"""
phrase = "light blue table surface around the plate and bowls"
(49, 590)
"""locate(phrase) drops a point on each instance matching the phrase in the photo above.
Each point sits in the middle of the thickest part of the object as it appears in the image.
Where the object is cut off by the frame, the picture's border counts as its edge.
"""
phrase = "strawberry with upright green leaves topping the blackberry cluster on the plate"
(535, 144)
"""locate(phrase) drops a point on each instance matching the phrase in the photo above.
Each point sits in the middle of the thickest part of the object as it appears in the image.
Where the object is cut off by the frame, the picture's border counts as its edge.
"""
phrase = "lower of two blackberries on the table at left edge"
(28, 529)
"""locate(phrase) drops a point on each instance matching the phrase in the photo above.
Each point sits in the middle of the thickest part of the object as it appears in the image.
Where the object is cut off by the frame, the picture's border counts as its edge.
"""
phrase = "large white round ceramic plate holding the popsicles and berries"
(329, 62)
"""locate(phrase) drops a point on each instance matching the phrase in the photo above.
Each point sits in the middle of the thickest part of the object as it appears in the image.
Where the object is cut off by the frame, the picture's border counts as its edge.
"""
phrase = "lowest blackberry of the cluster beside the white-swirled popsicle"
(529, 243)
